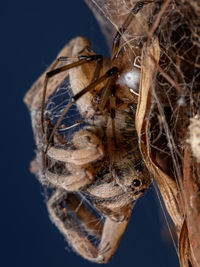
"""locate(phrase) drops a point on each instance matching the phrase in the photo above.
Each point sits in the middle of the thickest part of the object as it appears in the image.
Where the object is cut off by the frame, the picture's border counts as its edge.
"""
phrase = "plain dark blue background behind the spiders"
(33, 33)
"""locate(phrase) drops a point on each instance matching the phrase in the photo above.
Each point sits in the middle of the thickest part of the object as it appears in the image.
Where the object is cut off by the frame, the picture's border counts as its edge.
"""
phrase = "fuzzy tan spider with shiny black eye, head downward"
(113, 179)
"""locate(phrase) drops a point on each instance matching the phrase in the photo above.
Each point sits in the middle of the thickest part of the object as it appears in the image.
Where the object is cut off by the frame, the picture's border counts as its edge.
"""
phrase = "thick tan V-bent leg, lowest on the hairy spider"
(75, 222)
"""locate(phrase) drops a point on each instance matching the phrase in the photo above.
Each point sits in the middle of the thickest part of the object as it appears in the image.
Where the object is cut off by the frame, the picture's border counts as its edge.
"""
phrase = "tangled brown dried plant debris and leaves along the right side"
(168, 104)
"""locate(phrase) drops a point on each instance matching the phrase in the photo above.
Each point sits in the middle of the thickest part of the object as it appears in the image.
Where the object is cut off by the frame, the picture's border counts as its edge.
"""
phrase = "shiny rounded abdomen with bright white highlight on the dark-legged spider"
(131, 79)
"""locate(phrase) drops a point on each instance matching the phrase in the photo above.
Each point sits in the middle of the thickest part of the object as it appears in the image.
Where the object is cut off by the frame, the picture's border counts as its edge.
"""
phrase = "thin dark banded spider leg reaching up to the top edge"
(116, 41)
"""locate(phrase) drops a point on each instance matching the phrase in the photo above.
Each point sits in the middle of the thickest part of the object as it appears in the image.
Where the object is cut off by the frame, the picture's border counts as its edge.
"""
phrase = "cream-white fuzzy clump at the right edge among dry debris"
(194, 139)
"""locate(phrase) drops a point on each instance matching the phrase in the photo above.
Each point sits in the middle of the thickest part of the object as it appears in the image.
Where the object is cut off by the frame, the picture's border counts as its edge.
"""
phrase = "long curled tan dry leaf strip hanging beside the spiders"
(166, 184)
